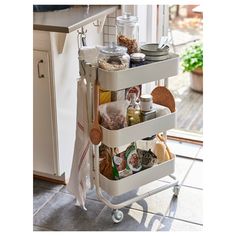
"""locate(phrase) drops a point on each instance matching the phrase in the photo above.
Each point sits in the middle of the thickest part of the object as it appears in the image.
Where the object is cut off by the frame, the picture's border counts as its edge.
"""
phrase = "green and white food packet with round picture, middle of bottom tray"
(134, 162)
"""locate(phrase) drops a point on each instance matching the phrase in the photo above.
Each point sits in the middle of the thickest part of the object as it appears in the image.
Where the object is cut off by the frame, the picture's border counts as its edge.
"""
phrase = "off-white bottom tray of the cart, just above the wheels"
(118, 187)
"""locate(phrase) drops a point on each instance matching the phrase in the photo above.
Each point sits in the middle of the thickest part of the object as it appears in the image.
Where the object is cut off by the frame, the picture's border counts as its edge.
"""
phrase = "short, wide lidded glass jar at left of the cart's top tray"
(113, 58)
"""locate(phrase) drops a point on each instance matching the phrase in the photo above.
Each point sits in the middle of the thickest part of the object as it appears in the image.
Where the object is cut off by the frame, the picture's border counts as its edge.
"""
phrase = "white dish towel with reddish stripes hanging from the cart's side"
(80, 171)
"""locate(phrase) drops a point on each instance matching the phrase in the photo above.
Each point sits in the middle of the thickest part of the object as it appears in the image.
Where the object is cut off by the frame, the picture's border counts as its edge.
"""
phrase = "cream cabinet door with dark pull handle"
(44, 138)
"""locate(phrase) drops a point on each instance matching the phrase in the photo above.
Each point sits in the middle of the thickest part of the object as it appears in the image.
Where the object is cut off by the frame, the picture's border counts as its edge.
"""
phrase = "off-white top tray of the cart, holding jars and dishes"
(117, 80)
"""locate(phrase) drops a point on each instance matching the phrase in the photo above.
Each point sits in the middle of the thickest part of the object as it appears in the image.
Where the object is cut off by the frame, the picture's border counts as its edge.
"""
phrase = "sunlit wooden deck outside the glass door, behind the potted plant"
(189, 104)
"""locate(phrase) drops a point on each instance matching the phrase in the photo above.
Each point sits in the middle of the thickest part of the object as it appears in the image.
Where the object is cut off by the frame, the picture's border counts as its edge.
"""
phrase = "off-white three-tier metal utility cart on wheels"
(117, 80)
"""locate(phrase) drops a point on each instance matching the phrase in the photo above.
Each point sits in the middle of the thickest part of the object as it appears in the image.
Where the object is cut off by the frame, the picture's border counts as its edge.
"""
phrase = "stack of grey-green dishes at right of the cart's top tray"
(153, 53)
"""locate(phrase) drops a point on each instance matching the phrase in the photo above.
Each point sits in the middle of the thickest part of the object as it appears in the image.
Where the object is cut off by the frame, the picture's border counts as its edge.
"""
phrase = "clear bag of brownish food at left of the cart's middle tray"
(113, 114)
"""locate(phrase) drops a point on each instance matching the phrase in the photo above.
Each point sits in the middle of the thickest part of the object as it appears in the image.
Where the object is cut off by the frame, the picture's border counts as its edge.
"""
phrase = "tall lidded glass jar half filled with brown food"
(128, 32)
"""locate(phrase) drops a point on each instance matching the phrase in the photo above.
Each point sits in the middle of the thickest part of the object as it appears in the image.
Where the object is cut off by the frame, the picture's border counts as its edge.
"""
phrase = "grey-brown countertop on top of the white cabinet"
(71, 19)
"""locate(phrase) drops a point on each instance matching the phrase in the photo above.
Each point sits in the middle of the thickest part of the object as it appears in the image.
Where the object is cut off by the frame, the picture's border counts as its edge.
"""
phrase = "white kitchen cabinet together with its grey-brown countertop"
(55, 94)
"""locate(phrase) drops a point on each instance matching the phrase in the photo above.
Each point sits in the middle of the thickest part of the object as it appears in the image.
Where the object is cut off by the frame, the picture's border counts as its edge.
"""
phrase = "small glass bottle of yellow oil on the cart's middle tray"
(133, 111)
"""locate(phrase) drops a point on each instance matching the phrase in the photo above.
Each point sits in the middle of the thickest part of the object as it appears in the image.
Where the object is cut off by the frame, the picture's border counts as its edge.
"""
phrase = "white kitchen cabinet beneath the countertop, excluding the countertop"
(55, 100)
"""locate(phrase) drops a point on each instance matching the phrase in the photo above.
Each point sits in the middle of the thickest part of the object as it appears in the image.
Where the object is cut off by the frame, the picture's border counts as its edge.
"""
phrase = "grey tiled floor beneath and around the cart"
(54, 207)
